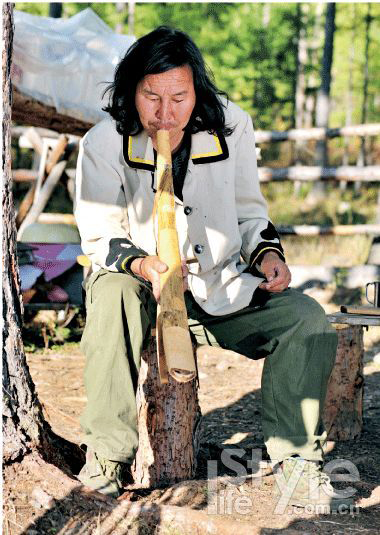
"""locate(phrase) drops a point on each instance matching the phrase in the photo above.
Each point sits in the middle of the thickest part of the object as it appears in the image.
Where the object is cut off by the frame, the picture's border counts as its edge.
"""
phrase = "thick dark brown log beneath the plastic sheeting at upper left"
(28, 110)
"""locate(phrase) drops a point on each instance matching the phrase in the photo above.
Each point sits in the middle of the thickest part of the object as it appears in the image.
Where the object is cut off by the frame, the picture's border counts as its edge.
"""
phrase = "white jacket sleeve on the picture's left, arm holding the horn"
(101, 212)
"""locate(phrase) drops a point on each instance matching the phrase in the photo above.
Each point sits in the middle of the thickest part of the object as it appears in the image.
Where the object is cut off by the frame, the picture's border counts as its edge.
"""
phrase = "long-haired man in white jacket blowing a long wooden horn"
(238, 280)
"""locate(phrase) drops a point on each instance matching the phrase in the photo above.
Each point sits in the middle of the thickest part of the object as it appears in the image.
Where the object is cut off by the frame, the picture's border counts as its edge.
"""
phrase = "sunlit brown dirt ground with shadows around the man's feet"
(38, 500)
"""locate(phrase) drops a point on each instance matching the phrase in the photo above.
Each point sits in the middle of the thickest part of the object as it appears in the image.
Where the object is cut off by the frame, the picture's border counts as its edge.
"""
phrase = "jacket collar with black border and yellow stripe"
(205, 148)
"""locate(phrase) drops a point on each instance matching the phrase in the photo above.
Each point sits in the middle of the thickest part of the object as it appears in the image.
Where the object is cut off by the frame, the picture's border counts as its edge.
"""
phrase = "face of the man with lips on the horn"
(166, 101)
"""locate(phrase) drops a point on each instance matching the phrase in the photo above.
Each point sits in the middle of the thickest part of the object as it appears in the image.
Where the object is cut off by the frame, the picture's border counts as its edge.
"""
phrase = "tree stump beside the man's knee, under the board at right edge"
(343, 412)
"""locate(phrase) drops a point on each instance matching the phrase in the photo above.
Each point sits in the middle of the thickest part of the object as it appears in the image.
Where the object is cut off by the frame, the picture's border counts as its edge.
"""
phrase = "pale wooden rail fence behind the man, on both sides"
(42, 140)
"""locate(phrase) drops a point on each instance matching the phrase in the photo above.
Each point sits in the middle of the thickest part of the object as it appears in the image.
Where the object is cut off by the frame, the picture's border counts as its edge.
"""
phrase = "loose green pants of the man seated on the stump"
(289, 329)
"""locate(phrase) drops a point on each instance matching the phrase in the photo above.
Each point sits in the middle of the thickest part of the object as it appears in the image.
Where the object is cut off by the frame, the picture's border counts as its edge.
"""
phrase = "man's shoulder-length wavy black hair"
(159, 51)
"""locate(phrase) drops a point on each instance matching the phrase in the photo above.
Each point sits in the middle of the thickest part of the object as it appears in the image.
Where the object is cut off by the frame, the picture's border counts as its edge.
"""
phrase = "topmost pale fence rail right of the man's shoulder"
(309, 134)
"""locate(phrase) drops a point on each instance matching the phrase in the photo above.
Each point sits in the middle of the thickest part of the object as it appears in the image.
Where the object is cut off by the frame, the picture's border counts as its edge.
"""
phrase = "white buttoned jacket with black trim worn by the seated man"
(222, 221)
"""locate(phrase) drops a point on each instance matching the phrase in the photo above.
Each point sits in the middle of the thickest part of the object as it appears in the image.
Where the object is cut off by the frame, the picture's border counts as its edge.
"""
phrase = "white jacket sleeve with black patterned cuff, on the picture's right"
(257, 231)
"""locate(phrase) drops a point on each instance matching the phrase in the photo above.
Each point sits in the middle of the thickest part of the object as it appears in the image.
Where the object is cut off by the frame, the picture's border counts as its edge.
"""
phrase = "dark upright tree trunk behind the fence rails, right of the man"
(323, 97)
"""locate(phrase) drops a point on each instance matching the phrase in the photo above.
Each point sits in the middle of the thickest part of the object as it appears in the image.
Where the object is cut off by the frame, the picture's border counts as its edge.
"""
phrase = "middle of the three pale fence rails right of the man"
(370, 173)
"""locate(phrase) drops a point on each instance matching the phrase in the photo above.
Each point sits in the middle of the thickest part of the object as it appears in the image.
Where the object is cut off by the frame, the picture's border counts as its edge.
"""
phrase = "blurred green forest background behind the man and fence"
(268, 58)
